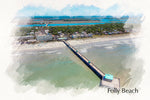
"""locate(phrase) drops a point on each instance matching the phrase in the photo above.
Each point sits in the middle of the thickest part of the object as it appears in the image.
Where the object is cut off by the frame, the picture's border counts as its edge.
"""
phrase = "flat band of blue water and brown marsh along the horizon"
(72, 20)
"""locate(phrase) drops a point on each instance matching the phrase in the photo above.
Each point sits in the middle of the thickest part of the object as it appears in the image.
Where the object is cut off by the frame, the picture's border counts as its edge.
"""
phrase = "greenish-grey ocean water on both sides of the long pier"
(62, 69)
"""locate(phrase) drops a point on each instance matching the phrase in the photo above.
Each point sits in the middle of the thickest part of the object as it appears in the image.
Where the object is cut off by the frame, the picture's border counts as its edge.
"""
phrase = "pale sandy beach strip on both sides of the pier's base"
(59, 44)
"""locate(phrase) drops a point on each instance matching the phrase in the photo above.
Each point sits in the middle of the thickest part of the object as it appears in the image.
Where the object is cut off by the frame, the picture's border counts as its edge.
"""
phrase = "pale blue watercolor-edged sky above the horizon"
(74, 10)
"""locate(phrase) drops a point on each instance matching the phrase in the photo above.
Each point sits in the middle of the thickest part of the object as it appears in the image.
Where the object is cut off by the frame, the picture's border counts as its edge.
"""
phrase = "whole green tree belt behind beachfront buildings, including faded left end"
(95, 29)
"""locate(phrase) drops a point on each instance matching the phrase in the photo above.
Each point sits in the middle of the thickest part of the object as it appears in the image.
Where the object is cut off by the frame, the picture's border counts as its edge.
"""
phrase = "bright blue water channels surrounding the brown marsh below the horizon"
(102, 20)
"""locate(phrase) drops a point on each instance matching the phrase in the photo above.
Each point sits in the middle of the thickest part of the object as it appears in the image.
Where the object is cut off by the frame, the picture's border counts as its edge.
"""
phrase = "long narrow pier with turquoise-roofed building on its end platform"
(110, 82)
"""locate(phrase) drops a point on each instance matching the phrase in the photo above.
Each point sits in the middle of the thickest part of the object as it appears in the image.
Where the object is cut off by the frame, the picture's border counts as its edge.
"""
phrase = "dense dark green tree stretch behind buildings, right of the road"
(89, 29)
